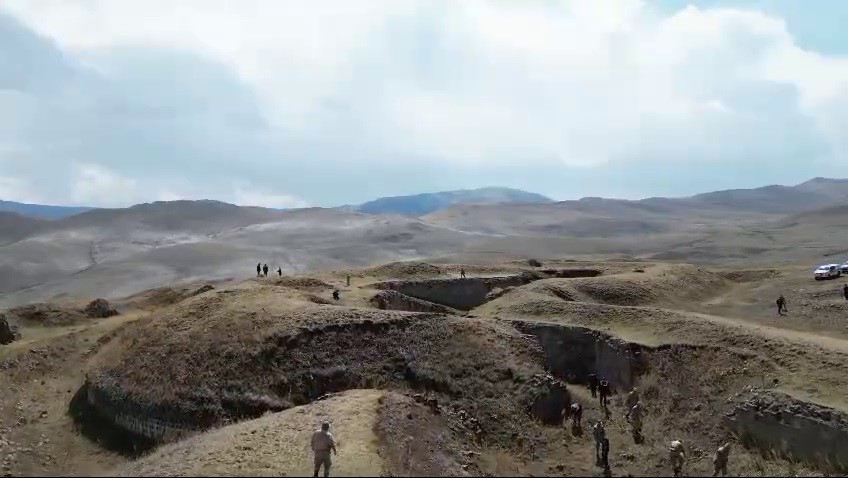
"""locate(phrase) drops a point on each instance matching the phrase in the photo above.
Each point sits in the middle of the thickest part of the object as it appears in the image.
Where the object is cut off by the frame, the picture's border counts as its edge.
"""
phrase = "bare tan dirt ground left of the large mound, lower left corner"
(41, 373)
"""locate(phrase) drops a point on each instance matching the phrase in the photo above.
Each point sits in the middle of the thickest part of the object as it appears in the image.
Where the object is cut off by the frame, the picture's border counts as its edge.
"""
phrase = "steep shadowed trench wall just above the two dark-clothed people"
(576, 352)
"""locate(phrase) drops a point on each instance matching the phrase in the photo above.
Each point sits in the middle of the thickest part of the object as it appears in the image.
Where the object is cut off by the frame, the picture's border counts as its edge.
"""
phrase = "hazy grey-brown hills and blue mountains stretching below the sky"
(82, 252)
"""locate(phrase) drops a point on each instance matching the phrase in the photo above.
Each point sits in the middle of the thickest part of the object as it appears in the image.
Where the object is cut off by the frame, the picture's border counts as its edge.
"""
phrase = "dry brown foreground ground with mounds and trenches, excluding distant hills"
(423, 373)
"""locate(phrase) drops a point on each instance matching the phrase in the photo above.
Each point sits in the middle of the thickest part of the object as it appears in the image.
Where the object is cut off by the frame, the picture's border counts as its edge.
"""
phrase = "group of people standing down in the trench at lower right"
(676, 452)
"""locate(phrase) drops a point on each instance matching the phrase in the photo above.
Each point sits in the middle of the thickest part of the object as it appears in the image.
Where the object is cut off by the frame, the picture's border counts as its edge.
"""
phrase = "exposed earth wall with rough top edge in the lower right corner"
(797, 429)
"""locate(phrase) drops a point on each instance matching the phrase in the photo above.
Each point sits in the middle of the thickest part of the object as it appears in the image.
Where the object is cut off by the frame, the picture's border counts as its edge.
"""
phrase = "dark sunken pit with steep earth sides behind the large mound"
(468, 293)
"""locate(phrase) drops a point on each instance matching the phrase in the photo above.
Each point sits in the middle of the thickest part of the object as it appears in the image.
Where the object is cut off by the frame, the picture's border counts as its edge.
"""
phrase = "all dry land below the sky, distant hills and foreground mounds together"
(190, 364)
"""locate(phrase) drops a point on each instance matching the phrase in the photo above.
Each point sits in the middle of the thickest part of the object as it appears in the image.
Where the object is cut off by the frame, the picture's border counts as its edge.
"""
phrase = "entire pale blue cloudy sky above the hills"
(327, 102)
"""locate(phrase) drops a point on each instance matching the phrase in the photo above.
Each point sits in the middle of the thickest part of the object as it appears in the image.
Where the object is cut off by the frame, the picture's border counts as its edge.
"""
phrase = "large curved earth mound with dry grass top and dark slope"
(216, 359)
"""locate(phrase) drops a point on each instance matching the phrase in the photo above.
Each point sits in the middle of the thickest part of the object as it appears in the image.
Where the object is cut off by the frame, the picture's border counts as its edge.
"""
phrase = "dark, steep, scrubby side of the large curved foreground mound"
(395, 354)
